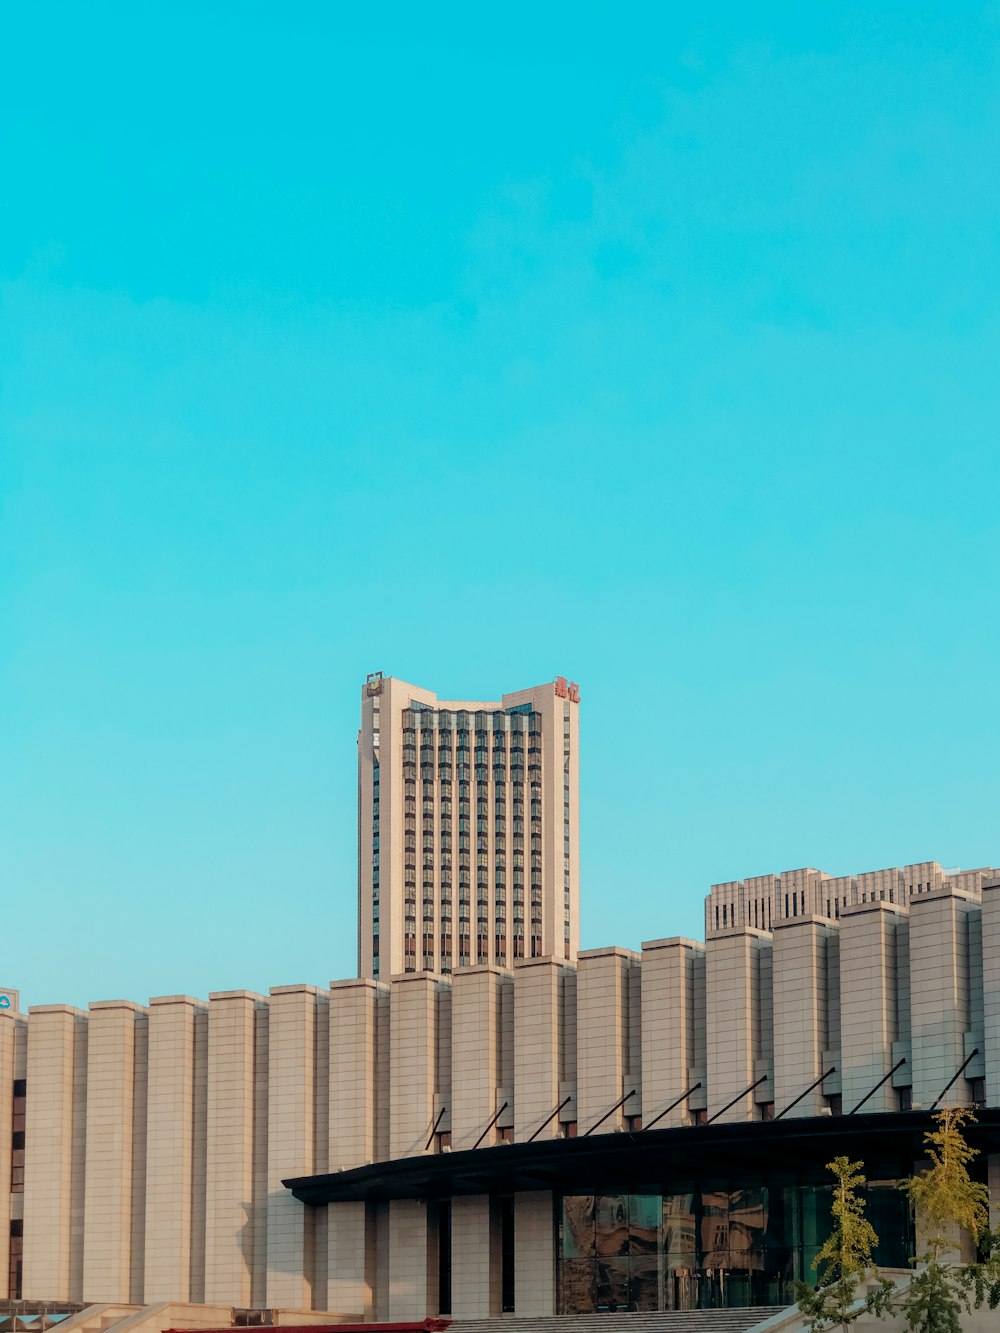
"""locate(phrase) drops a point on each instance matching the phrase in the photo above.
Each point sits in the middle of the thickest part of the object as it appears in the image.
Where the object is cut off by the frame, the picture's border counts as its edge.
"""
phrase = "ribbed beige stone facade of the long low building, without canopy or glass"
(157, 1138)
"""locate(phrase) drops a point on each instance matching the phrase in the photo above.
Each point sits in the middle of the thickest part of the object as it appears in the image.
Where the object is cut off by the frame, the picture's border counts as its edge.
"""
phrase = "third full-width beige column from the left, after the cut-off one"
(170, 1148)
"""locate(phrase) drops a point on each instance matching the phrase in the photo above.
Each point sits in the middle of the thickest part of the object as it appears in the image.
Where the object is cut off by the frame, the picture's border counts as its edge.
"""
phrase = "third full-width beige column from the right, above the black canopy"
(802, 1031)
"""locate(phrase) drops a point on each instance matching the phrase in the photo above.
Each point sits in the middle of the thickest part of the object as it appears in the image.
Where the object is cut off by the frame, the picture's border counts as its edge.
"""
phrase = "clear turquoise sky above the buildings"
(654, 346)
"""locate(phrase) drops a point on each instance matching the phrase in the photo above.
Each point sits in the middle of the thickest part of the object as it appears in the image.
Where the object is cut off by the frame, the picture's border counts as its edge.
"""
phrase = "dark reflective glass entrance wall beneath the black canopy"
(709, 1243)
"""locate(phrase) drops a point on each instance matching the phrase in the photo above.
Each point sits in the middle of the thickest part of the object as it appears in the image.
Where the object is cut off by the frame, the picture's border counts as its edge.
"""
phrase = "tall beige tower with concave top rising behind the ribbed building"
(469, 828)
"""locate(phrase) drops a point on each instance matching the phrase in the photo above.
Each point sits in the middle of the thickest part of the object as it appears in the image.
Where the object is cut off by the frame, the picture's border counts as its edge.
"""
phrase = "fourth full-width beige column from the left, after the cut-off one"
(230, 1158)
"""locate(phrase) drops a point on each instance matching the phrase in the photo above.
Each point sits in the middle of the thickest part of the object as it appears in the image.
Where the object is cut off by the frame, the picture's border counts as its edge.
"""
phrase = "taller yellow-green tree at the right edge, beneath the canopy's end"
(949, 1202)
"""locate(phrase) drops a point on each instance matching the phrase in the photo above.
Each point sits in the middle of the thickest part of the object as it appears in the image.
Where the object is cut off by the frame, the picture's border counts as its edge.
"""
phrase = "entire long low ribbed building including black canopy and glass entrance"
(619, 1130)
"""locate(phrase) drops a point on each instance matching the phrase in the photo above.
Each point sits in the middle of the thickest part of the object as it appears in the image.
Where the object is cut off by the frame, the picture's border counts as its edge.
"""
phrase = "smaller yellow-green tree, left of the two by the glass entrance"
(846, 1264)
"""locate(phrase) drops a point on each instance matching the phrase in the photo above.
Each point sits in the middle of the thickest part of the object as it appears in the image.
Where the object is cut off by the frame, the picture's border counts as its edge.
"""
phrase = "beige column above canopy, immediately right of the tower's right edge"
(603, 1012)
